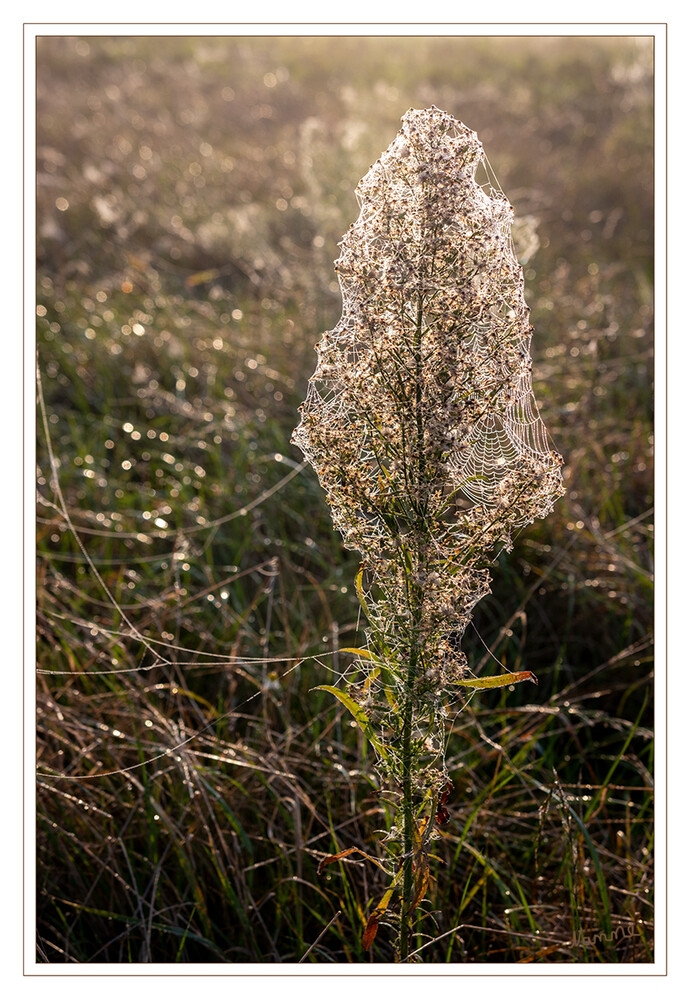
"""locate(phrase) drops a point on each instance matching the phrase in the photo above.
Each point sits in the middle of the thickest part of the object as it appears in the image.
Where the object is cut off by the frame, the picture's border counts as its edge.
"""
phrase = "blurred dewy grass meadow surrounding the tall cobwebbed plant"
(192, 593)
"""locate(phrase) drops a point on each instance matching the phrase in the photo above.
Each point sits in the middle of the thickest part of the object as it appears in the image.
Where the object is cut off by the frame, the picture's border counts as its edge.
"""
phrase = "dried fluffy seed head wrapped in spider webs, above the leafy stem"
(420, 418)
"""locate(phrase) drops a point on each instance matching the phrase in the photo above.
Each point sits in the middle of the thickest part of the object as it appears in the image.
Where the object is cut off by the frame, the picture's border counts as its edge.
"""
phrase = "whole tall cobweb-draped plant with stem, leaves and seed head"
(421, 424)
